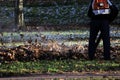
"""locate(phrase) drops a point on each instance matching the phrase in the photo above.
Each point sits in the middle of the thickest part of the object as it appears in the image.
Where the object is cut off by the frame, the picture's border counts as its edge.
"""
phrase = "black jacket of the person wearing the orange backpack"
(110, 17)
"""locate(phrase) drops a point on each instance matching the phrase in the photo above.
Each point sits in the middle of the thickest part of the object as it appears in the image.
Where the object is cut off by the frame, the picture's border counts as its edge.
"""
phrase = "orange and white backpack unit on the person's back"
(100, 7)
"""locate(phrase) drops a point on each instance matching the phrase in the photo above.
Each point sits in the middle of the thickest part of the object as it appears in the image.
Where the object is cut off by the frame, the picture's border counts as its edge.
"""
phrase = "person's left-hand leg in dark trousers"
(94, 29)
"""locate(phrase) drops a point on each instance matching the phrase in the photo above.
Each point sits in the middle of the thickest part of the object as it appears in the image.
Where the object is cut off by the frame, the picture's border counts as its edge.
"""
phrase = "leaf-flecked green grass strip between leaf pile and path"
(57, 66)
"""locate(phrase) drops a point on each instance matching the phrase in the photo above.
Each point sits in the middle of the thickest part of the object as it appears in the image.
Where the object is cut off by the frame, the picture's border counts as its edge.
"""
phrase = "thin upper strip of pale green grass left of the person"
(67, 32)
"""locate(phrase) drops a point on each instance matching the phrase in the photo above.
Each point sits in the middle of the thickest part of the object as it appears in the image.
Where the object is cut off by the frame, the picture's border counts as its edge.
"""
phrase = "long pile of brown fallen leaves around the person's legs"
(50, 51)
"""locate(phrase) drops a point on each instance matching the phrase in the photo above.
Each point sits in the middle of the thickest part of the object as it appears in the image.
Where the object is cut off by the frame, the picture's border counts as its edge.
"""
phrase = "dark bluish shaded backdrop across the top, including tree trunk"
(45, 13)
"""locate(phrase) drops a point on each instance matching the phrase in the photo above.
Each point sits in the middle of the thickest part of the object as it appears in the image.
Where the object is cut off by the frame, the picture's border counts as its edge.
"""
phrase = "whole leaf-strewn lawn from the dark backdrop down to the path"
(55, 52)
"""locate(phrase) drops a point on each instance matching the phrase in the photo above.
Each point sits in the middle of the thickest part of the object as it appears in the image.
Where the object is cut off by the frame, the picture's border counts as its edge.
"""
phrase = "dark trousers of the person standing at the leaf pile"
(103, 27)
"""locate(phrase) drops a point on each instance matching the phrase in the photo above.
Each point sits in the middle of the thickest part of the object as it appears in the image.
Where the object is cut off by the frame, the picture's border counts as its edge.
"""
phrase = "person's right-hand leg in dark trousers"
(106, 39)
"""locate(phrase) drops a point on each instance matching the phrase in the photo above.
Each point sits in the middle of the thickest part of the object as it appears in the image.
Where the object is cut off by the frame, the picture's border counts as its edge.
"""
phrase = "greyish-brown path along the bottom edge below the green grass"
(87, 76)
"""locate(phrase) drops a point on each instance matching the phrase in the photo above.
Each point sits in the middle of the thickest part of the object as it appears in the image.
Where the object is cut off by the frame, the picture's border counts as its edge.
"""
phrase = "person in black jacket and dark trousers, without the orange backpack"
(100, 23)
